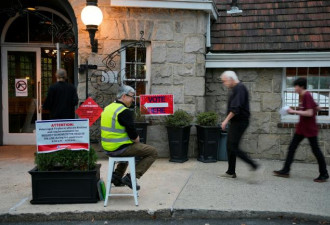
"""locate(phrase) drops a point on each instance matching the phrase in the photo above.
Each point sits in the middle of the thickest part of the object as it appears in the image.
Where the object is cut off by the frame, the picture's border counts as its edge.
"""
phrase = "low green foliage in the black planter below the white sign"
(67, 160)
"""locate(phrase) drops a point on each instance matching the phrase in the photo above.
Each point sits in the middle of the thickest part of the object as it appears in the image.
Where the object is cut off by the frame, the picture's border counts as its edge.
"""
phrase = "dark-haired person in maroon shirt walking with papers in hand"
(306, 128)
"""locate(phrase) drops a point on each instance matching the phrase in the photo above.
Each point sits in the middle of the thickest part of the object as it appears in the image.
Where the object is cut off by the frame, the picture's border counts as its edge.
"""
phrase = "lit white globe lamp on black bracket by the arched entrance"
(92, 17)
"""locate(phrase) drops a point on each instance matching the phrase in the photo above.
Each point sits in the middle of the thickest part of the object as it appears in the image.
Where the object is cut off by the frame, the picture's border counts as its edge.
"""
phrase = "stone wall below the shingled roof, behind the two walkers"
(263, 138)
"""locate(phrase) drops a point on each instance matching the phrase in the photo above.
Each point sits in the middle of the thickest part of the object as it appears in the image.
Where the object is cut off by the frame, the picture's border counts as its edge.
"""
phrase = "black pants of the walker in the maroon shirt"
(315, 148)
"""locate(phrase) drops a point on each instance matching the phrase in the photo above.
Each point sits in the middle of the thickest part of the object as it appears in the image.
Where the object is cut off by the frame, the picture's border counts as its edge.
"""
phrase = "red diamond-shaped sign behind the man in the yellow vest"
(89, 110)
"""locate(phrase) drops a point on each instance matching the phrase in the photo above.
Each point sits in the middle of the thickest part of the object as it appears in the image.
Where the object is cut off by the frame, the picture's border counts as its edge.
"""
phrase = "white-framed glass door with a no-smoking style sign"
(21, 95)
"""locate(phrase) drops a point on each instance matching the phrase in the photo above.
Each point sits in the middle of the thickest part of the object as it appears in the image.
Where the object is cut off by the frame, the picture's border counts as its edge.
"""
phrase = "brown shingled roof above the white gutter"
(272, 26)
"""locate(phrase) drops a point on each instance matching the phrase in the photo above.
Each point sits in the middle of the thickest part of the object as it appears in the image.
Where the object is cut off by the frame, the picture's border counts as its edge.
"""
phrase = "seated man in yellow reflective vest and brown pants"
(120, 139)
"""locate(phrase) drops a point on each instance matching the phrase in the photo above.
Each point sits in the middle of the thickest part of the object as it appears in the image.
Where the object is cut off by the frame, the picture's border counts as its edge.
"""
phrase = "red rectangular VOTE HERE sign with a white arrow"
(156, 104)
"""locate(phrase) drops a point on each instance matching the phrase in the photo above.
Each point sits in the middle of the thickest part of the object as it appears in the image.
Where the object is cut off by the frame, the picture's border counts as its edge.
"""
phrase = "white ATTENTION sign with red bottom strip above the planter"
(55, 135)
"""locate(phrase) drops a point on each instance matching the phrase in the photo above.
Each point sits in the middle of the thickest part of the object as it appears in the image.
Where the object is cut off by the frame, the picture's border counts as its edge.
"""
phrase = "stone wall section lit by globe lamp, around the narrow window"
(177, 39)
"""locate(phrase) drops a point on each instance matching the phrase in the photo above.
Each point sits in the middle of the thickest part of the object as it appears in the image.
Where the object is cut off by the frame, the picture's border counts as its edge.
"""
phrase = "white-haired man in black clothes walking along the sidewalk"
(238, 114)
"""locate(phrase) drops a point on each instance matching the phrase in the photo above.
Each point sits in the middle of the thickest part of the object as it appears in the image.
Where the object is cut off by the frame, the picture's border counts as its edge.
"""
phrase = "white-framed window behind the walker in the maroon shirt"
(318, 83)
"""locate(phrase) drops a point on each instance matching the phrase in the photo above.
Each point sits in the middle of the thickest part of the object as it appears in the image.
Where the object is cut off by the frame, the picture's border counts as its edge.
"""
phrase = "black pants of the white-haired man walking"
(235, 133)
